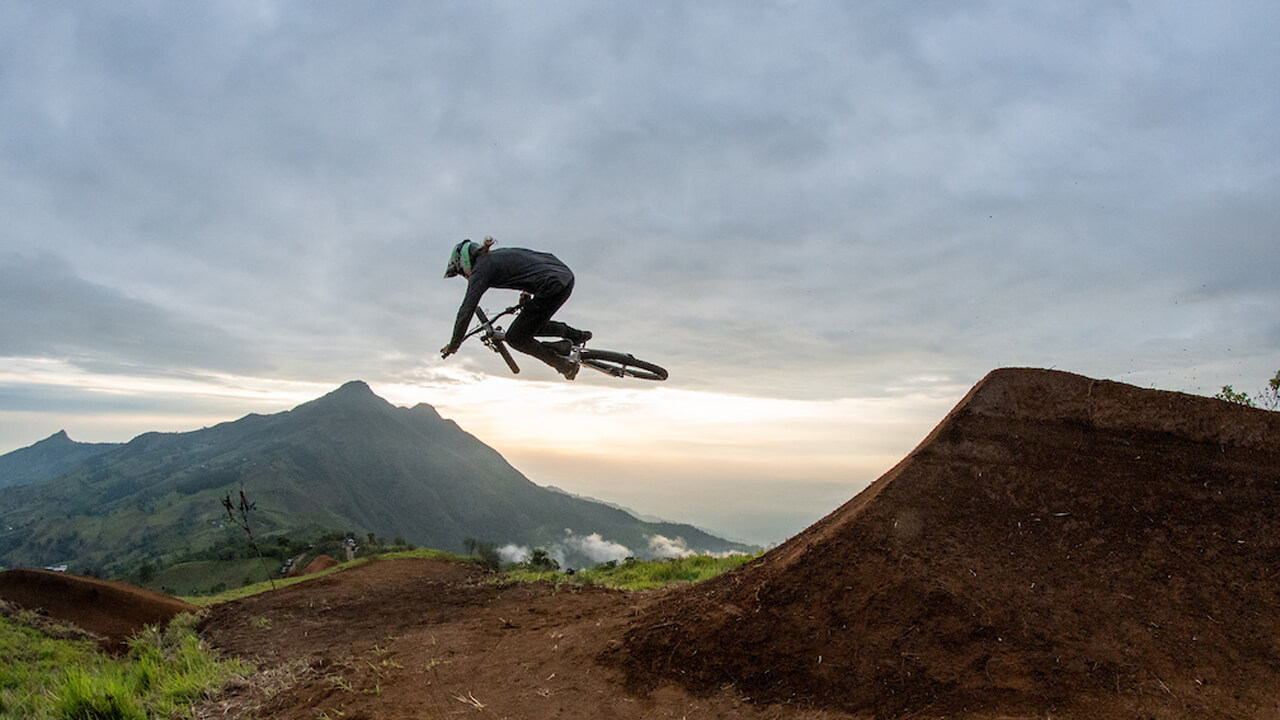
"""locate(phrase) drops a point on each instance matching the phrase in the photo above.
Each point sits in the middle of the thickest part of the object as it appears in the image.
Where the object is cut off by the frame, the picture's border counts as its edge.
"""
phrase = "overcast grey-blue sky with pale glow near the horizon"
(826, 220)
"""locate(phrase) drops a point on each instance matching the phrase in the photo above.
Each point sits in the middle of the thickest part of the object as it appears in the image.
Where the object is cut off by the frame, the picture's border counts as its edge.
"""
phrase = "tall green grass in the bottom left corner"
(163, 675)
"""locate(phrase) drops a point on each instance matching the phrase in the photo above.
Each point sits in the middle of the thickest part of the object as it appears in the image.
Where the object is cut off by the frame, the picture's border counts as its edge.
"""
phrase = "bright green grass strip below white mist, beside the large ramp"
(639, 575)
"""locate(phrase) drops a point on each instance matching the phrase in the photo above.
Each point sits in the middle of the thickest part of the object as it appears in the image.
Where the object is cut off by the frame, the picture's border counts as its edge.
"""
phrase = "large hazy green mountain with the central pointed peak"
(348, 462)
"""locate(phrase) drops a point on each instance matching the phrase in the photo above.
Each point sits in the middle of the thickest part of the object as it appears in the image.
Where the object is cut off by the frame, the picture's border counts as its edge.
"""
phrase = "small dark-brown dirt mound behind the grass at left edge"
(104, 608)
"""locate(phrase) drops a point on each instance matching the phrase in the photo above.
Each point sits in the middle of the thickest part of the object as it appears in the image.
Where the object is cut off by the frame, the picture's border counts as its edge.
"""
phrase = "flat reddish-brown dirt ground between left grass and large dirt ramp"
(433, 639)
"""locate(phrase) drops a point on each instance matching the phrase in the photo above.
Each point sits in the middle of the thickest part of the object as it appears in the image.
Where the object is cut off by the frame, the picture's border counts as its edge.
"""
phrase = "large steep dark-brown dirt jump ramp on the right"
(1057, 545)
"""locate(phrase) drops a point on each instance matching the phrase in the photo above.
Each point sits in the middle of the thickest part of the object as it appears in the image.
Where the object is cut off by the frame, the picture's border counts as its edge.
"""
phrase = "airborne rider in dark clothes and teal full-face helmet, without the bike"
(545, 282)
